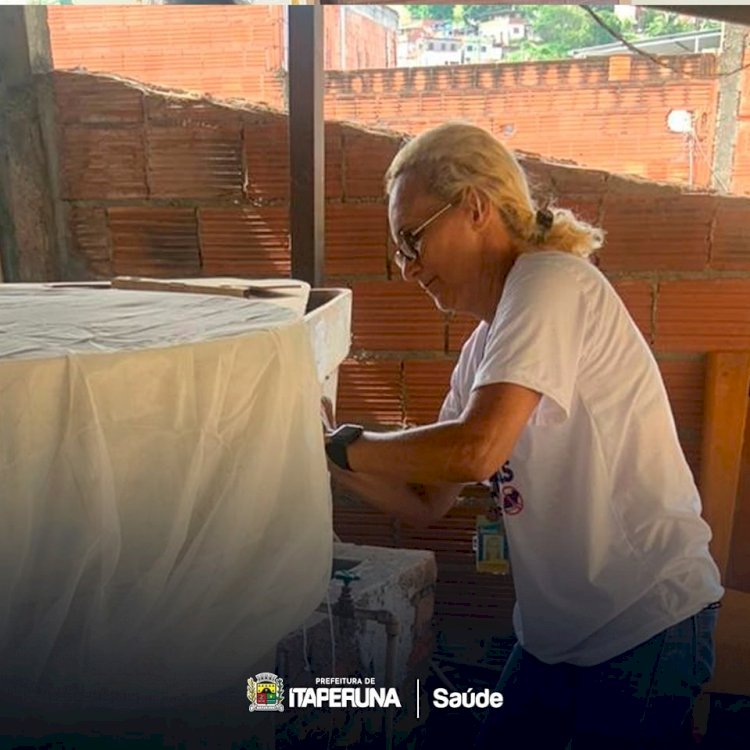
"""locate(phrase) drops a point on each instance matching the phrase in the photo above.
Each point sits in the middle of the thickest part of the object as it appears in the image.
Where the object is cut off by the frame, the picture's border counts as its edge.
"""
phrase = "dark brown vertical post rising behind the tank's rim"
(306, 142)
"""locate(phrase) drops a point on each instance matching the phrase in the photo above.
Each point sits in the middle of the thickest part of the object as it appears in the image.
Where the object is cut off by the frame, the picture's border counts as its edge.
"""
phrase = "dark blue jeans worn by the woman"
(635, 701)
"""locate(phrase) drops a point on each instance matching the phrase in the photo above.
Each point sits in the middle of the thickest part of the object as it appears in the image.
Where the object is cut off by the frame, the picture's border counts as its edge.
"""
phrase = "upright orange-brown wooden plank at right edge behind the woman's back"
(724, 421)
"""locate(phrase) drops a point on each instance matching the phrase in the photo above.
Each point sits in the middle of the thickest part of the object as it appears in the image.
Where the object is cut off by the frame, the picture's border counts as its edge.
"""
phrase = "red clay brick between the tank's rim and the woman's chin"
(393, 315)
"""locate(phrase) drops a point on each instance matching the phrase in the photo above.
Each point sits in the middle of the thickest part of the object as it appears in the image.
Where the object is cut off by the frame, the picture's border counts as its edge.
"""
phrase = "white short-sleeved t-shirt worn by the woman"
(602, 515)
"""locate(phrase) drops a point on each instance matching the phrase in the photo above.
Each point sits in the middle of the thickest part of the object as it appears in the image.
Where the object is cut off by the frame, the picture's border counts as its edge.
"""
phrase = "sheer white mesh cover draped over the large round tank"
(165, 513)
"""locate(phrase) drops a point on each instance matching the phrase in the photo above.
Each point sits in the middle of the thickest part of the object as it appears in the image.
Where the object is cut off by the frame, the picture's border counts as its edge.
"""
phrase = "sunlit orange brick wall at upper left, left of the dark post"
(227, 51)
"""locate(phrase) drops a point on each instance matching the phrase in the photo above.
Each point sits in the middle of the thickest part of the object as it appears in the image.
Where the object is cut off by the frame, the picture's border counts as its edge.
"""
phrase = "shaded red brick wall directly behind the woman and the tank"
(166, 185)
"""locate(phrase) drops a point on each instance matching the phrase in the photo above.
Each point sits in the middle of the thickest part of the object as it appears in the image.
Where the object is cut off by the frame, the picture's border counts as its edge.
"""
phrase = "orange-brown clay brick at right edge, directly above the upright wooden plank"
(703, 315)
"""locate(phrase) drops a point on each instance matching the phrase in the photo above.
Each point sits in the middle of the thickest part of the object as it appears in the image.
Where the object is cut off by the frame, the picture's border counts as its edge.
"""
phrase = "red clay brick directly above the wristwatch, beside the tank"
(369, 392)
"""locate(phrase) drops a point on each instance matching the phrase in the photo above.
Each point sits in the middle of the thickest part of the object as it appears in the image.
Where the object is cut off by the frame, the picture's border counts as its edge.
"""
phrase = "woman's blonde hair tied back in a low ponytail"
(457, 156)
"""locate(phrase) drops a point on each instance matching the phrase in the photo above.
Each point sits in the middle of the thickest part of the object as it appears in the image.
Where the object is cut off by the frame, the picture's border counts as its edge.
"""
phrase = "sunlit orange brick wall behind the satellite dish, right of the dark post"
(607, 113)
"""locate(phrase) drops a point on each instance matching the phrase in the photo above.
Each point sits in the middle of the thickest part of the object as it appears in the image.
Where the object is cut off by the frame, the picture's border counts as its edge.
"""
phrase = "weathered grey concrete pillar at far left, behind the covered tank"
(31, 236)
